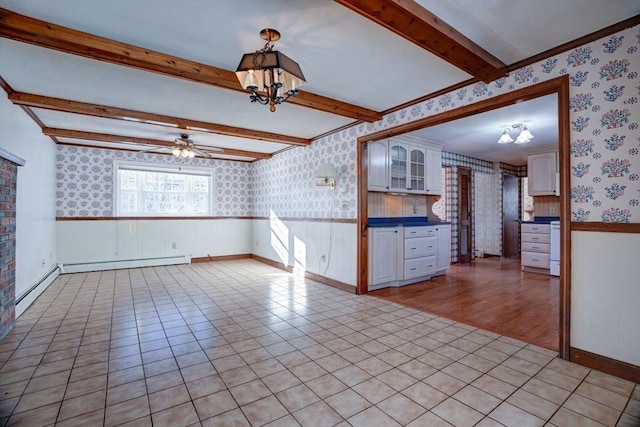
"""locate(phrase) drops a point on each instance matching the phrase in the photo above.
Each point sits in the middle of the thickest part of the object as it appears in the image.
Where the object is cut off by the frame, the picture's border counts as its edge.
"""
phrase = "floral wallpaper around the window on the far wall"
(84, 181)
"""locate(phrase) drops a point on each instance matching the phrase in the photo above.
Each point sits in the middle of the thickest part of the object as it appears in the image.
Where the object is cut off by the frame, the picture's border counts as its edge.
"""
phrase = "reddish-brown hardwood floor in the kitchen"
(490, 293)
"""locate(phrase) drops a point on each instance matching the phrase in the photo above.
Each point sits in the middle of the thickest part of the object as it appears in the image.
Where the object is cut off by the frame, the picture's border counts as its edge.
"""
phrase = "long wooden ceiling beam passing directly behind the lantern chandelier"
(44, 34)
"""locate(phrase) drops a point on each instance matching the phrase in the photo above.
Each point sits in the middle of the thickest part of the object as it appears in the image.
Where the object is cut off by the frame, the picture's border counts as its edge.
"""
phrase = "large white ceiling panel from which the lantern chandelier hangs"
(342, 54)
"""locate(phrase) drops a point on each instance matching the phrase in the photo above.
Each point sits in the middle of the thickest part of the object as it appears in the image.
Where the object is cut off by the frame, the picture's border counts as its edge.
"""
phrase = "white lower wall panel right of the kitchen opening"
(605, 293)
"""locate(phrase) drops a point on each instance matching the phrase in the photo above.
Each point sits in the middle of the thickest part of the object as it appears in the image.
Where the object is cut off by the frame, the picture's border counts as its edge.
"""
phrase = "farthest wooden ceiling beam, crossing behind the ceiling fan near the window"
(105, 137)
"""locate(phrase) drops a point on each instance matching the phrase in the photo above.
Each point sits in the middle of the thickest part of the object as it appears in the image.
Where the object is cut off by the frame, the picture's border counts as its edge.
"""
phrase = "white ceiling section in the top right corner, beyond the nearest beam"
(514, 30)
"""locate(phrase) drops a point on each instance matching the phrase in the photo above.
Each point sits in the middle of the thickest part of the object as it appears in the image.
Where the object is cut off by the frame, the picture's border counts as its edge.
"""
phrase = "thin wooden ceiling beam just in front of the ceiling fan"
(76, 107)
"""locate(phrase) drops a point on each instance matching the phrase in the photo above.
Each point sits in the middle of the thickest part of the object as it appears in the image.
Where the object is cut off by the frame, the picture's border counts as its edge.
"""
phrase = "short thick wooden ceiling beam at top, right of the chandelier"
(410, 20)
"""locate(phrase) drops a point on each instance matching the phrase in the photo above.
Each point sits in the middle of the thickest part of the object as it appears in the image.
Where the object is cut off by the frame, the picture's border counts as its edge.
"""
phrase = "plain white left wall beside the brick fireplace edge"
(36, 192)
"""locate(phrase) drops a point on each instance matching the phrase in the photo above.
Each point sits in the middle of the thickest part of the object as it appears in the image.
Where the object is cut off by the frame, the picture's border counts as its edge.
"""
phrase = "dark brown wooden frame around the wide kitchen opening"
(559, 86)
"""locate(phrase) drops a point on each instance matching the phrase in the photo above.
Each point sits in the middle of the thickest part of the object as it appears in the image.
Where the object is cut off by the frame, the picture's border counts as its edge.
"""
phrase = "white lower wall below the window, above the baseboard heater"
(109, 240)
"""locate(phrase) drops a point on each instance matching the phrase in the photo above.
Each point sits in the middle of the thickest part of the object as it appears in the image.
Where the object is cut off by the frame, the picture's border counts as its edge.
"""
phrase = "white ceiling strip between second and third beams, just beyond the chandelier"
(46, 72)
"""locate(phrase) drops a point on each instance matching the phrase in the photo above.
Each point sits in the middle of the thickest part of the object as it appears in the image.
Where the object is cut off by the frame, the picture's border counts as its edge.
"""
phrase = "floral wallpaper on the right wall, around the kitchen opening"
(605, 154)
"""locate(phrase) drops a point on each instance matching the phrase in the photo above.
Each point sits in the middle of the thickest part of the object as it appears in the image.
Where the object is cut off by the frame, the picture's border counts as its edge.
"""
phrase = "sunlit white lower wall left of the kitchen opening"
(301, 244)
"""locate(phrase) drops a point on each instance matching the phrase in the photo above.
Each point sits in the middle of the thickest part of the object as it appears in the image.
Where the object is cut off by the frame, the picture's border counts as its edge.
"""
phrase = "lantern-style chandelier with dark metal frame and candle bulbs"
(270, 76)
